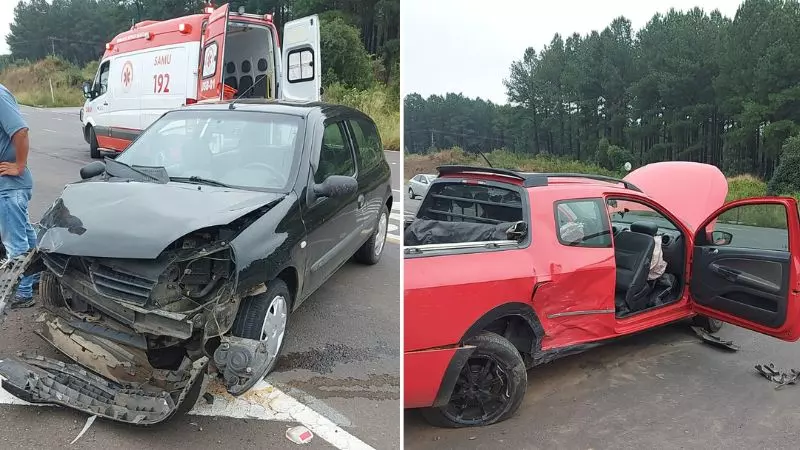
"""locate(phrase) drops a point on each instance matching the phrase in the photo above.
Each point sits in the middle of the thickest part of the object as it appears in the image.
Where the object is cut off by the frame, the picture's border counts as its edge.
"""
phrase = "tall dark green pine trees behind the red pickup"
(690, 85)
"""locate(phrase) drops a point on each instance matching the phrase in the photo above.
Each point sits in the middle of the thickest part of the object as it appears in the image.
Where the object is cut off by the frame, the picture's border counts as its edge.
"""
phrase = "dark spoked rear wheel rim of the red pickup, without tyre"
(481, 393)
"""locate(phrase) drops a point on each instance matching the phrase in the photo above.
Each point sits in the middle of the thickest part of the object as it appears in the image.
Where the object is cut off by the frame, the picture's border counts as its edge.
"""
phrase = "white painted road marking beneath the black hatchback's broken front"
(263, 402)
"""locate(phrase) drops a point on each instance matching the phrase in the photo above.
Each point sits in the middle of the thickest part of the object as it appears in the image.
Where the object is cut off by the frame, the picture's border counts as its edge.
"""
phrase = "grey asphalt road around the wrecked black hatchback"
(341, 359)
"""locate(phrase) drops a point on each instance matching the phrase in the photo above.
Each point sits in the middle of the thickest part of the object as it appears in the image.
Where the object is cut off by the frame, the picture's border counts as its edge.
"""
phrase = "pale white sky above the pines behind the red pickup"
(467, 46)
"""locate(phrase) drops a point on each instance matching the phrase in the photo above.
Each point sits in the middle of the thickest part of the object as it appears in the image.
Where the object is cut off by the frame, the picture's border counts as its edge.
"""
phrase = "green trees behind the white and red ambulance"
(77, 30)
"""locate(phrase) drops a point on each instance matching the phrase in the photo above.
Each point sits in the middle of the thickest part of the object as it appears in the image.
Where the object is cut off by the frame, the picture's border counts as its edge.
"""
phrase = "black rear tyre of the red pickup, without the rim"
(496, 350)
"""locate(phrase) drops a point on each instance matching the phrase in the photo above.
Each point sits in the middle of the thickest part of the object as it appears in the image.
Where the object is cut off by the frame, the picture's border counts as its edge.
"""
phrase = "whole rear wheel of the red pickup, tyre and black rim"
(489, 389)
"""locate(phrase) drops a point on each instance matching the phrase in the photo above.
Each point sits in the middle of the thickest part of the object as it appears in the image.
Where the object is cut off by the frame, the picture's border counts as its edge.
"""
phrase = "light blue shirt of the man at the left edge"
(11, 121)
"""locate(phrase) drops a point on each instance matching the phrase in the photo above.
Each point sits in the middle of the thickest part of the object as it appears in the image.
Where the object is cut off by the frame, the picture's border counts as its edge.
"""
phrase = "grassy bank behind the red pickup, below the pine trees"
(739, 187)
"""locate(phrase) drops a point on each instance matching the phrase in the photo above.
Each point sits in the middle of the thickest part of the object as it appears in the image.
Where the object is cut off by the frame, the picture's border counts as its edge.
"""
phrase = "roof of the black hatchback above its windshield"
(301, 108)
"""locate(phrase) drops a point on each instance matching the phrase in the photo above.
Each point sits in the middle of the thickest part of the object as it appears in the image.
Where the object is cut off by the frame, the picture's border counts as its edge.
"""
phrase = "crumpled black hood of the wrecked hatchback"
(138, 220)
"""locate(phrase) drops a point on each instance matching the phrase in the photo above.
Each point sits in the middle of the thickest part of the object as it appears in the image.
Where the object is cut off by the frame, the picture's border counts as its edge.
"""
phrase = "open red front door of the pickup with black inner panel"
(745, 268)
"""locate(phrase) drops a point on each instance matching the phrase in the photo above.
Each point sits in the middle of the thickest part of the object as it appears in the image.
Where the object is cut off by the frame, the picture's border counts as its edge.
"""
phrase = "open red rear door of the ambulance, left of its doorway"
(212, 55)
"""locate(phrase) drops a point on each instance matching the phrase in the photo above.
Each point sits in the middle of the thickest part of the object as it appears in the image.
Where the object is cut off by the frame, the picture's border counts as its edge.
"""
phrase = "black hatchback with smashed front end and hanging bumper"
(186, 254)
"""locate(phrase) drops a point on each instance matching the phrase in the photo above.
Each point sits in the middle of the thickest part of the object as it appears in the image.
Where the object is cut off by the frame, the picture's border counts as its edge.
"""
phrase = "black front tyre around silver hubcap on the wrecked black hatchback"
(250, 317)
